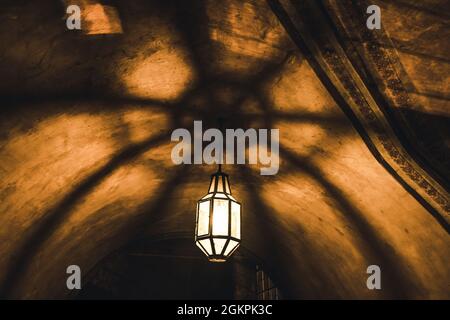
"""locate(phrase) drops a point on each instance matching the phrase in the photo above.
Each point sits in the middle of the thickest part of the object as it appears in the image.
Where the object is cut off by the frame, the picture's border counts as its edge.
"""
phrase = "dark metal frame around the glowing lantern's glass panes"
(219, 188)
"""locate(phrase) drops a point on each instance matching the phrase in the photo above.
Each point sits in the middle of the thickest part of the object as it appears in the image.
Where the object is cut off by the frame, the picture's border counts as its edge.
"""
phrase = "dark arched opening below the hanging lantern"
(170, 269)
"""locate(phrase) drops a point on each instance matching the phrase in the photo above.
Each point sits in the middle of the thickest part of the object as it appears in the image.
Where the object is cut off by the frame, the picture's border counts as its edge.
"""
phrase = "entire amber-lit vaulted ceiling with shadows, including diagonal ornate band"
(86, 119)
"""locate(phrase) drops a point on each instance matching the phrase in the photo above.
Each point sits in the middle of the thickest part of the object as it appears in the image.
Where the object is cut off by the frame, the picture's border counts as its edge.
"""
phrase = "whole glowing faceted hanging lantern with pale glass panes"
(218, 224)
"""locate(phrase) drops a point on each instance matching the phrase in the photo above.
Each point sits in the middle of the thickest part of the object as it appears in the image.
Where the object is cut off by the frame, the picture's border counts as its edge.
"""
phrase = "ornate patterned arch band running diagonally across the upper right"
(336, 72)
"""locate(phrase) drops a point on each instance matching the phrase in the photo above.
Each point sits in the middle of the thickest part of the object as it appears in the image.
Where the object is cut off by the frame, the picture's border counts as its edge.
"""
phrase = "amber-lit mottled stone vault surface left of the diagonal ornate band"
(85, 153)
